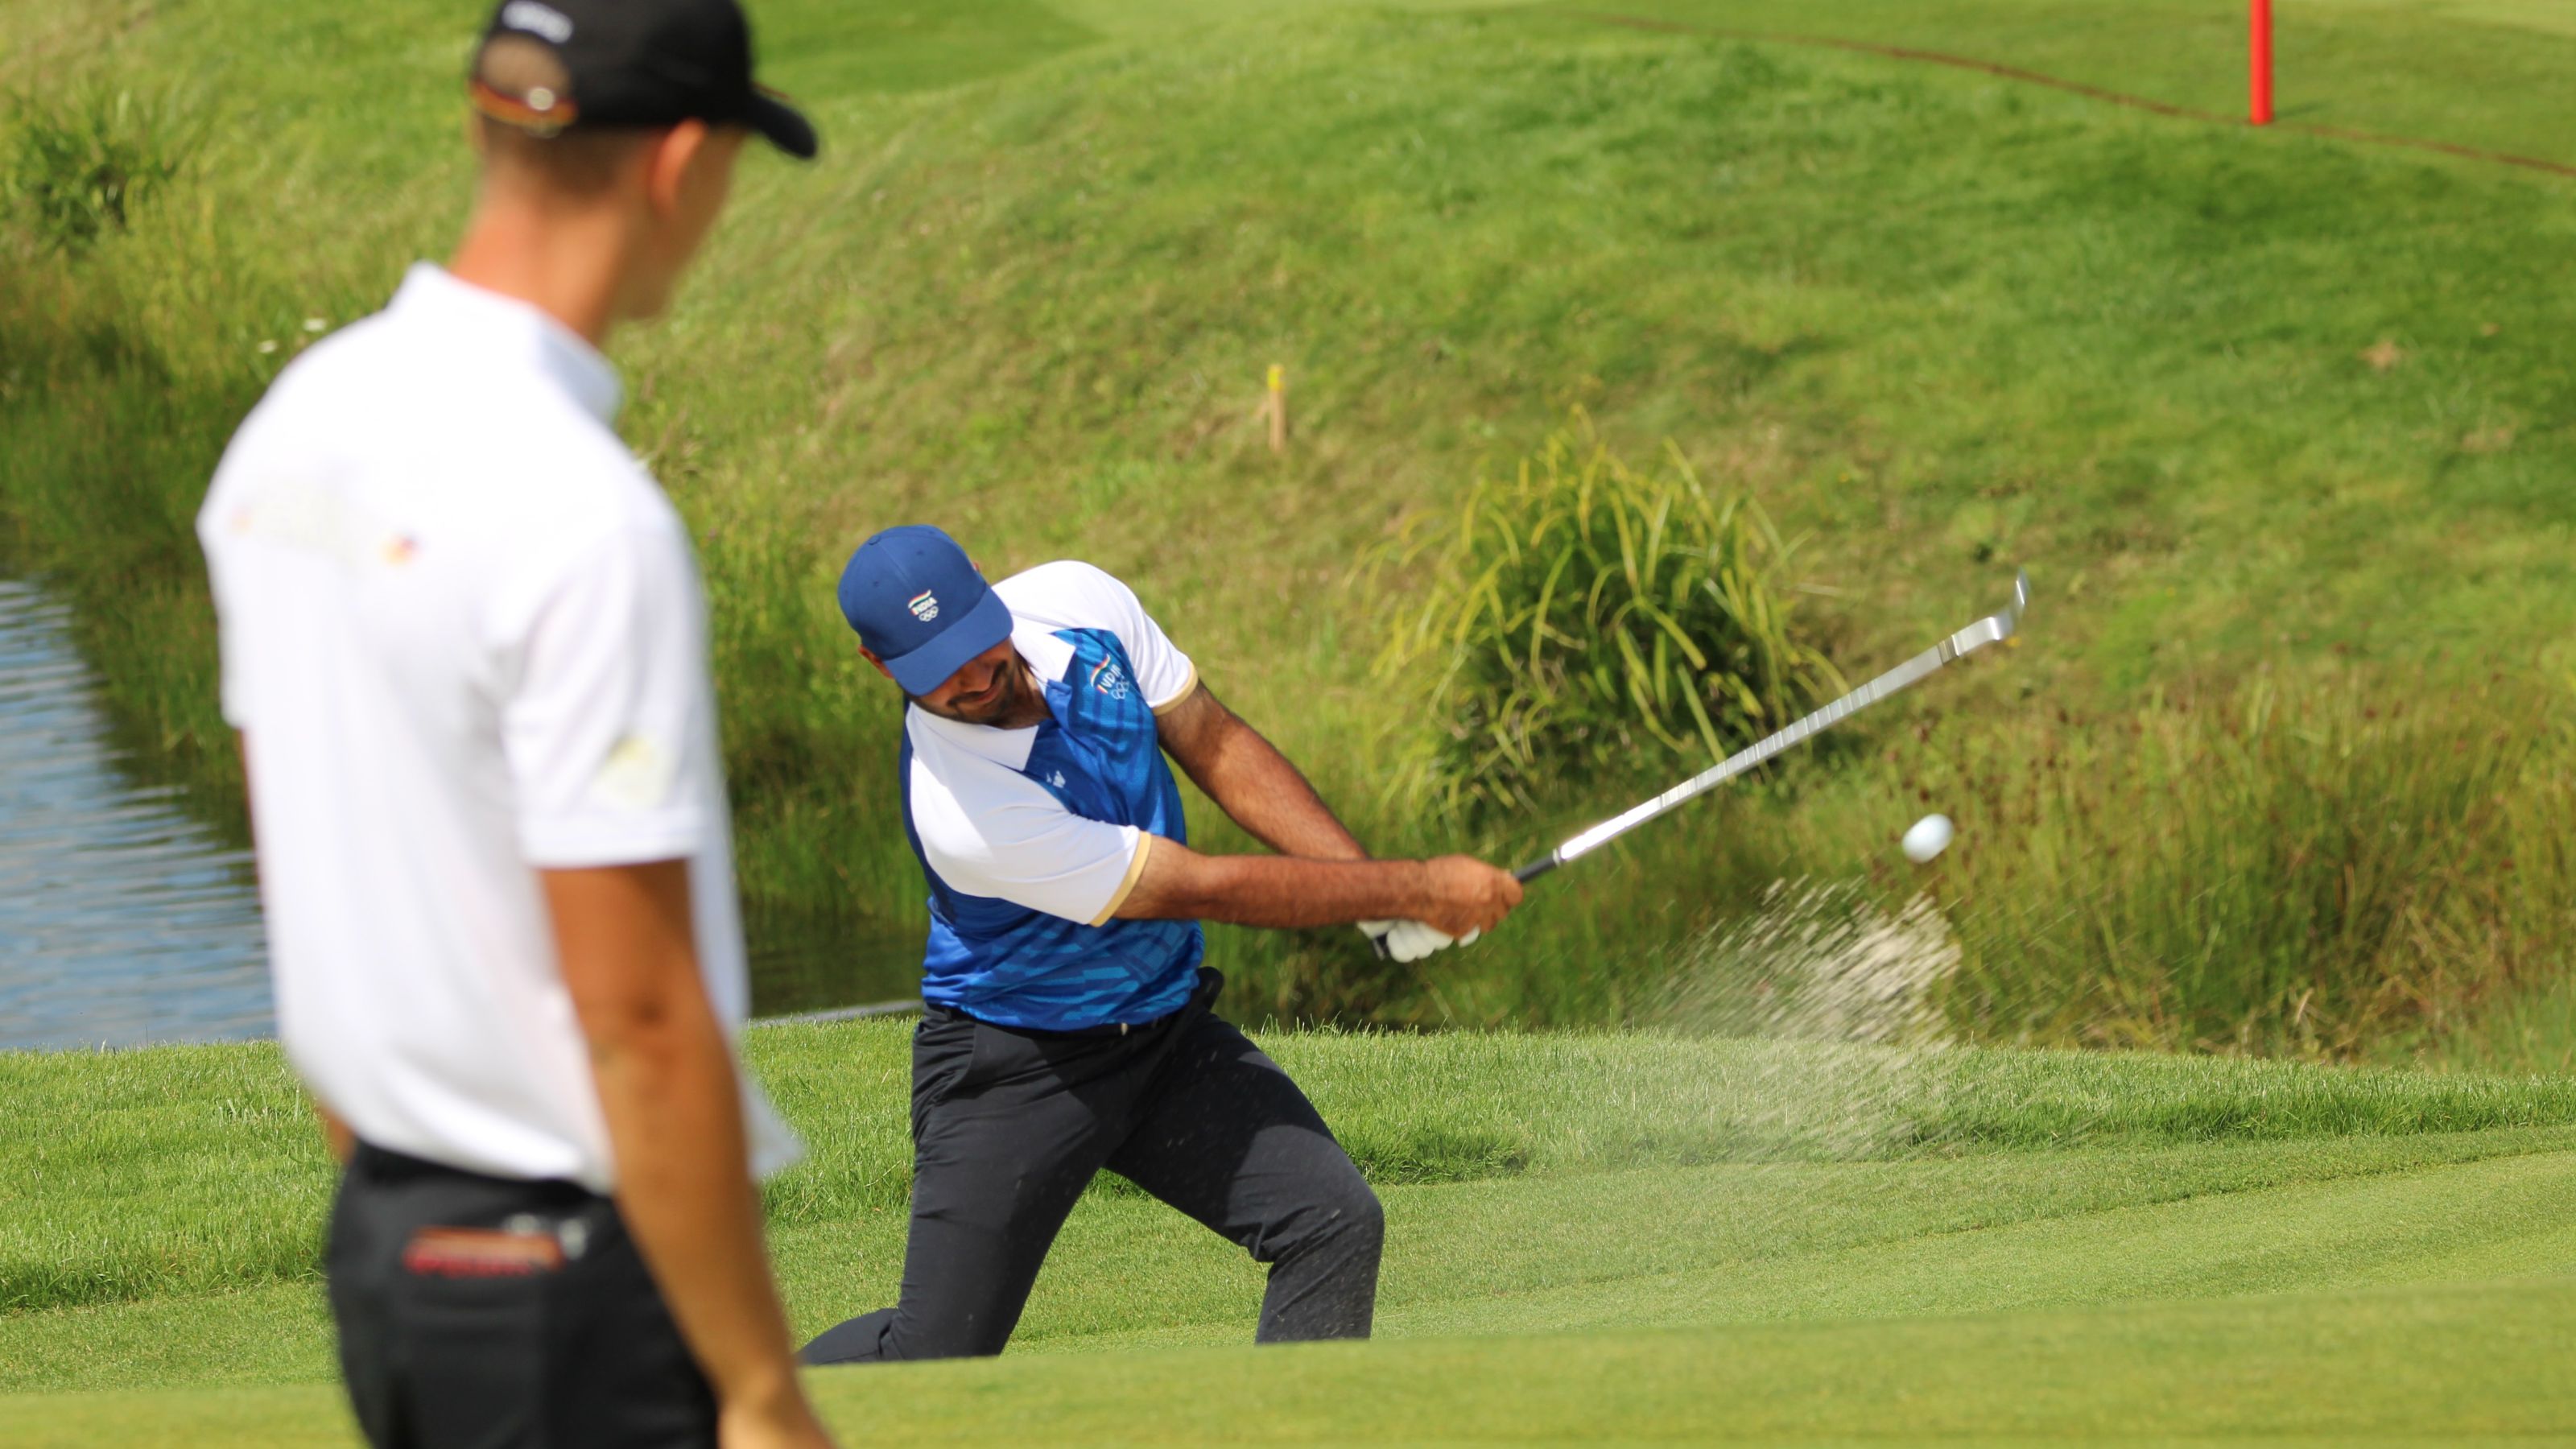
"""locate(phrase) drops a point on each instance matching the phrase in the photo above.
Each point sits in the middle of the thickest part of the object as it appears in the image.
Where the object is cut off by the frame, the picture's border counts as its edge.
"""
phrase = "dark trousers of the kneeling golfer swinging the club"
(1009, 1128)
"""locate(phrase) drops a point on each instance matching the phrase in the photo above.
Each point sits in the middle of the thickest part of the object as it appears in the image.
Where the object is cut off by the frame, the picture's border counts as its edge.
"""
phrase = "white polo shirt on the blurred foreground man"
(465, 638)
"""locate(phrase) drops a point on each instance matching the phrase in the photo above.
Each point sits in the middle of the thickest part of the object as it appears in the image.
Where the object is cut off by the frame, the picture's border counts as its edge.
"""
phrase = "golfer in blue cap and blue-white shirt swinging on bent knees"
(1068, 1017)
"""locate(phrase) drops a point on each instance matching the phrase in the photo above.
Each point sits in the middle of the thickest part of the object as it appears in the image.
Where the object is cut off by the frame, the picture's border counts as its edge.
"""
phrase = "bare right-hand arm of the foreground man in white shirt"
(674, 1110)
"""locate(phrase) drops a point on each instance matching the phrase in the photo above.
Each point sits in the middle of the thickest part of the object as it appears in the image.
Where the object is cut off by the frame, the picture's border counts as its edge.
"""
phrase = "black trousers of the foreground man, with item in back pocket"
(491, 1314)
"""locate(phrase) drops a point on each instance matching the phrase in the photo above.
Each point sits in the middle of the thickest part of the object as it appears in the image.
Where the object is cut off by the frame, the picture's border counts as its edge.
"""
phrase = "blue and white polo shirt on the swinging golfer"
(1034, 839)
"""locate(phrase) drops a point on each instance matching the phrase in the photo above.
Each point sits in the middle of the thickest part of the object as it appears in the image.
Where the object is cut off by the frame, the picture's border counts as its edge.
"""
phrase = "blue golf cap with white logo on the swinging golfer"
(921, 605)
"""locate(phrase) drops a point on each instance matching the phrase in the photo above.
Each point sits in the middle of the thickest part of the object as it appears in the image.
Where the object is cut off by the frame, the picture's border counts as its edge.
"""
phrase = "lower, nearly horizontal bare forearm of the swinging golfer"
(1274, 891)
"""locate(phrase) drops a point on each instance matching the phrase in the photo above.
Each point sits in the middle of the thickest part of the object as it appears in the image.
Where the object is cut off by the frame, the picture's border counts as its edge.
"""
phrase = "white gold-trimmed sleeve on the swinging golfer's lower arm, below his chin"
(996, 831)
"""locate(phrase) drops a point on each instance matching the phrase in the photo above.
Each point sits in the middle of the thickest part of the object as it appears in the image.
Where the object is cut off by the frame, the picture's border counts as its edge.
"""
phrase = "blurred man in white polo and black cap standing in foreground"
(465, 651)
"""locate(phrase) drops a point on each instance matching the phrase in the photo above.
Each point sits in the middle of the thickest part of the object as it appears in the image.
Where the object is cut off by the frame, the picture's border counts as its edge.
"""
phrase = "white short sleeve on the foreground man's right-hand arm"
(612, 710)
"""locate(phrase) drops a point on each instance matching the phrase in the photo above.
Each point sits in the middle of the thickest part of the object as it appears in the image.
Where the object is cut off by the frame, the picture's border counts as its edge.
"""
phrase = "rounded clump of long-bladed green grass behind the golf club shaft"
(1586, 618)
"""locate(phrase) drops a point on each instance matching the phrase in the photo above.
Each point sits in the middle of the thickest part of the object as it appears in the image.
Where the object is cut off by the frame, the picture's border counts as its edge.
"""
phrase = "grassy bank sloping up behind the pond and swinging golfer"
(2230, 393)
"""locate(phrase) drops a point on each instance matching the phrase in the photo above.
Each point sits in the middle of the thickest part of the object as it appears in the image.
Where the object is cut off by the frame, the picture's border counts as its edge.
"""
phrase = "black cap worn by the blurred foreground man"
(547, 66)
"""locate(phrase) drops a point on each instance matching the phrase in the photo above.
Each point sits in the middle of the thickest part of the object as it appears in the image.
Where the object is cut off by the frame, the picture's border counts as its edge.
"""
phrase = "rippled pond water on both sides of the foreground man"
(125, 922)
